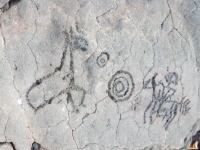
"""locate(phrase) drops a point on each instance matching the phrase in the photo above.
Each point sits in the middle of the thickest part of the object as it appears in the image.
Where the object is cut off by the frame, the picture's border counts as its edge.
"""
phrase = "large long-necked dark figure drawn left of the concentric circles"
(72, 42)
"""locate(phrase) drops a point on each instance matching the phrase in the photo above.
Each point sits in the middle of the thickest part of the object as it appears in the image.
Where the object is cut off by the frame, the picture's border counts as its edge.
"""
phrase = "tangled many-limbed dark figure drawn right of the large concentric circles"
(163, 103)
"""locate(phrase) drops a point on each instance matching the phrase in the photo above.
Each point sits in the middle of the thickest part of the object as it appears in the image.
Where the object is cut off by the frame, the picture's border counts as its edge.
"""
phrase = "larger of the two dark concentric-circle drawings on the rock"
(121, 86)
